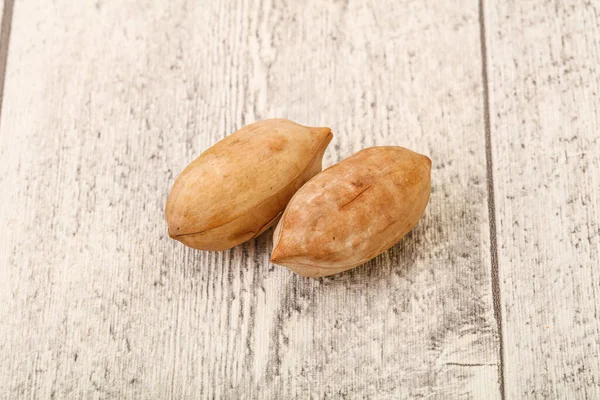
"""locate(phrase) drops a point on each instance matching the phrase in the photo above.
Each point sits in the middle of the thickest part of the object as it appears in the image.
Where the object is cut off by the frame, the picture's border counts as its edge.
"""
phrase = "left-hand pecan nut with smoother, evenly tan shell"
(238, 188)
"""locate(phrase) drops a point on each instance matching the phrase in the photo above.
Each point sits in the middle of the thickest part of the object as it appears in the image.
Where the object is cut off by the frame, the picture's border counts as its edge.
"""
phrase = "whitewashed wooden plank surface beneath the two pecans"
(494, 295)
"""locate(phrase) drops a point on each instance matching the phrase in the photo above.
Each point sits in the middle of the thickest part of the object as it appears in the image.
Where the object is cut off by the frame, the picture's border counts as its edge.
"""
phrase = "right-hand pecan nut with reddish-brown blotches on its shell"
(353, 211)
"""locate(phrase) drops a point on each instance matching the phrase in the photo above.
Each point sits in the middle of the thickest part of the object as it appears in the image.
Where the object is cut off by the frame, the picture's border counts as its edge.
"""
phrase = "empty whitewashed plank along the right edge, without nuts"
(545, 124)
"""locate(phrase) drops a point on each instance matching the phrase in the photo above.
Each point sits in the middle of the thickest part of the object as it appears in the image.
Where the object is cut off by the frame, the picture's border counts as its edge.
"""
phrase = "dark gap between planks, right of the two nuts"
(496, 298)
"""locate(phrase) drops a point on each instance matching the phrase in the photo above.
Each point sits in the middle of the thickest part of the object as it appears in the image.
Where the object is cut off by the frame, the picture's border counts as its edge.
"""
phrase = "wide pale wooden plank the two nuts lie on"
(106, 102)
